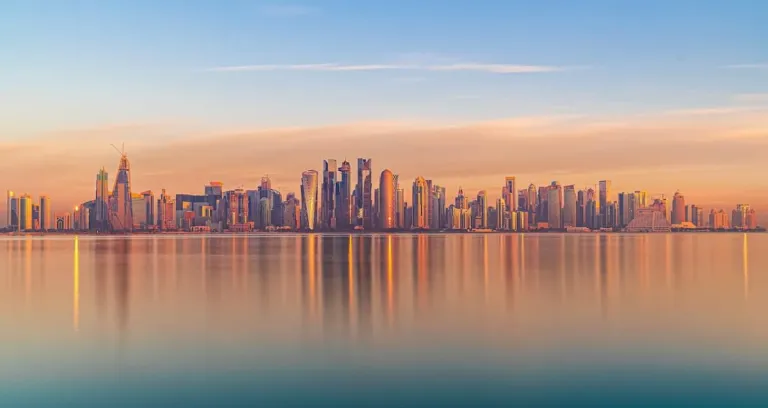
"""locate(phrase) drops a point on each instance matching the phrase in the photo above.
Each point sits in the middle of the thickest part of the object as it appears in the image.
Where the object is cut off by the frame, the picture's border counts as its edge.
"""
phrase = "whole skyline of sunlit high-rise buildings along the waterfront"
(336, 199)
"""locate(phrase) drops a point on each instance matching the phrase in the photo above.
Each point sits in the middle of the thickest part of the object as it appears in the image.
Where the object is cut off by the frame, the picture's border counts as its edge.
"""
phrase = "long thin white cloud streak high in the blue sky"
(336, 67)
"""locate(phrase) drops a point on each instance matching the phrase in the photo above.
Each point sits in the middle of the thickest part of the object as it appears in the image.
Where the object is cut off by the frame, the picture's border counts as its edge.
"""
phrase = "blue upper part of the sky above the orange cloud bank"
(77, 64)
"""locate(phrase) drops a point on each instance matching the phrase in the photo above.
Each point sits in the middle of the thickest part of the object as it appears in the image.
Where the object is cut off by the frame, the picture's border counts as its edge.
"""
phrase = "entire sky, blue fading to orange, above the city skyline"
(654, 95)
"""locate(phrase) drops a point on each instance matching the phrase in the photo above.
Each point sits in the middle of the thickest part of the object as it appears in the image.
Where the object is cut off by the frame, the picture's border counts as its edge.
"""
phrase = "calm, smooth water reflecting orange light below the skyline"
(385, 320)
